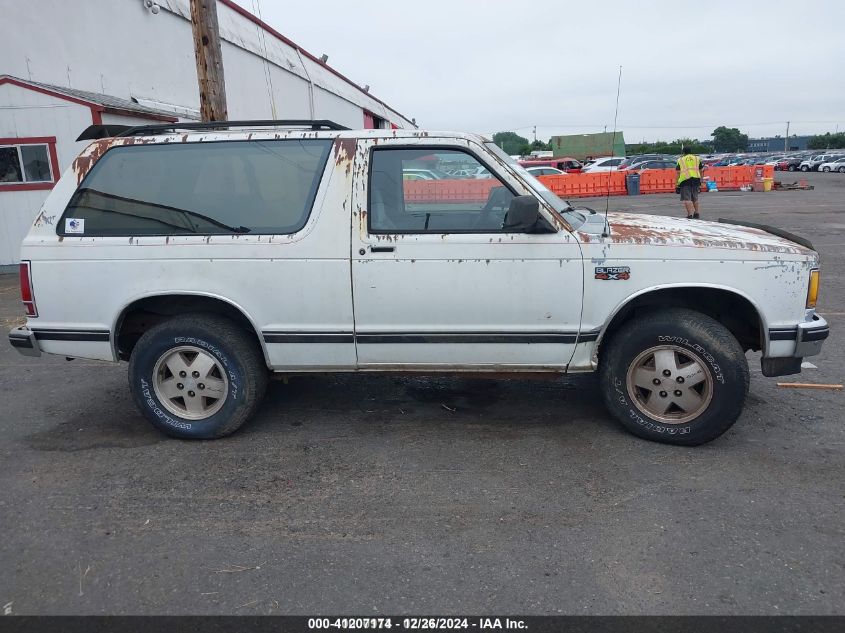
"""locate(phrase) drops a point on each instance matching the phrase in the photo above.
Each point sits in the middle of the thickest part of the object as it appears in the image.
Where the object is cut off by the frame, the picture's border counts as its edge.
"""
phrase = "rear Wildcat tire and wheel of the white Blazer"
(225, 356)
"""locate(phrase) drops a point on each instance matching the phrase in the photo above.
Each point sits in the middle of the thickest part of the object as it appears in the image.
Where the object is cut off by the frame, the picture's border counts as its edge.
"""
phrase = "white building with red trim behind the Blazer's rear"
(67, 65)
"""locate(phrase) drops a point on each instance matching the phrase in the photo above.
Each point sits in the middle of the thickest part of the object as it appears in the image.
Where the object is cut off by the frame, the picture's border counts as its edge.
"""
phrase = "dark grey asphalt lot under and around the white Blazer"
(361, 494)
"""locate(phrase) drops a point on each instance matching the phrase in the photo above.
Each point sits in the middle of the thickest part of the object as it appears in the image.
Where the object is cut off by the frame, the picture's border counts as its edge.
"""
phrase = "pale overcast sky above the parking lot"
(509, 65)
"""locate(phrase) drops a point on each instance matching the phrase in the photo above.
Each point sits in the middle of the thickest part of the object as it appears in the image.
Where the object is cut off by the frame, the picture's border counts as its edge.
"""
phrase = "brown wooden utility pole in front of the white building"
(209, 58)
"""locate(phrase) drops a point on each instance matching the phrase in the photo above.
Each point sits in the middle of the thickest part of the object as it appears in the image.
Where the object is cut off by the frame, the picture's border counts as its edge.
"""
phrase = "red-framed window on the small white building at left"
(28, 163)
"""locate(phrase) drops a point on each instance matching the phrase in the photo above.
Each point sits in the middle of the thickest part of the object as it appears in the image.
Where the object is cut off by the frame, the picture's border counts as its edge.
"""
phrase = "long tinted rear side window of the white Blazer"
(199, 188)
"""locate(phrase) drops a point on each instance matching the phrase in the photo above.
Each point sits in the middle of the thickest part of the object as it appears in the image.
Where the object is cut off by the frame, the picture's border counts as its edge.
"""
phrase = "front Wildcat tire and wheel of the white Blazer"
(673, 339)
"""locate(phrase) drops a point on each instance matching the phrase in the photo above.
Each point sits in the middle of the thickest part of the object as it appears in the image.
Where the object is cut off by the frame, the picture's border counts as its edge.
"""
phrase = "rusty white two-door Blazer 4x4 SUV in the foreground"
(209, 255)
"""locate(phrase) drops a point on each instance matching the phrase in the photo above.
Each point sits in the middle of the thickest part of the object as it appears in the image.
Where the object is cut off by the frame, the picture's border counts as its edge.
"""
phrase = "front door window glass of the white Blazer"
(453, 204)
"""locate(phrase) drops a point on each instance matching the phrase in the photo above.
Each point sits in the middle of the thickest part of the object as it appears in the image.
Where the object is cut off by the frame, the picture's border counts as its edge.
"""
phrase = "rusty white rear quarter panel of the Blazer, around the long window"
(290, 281)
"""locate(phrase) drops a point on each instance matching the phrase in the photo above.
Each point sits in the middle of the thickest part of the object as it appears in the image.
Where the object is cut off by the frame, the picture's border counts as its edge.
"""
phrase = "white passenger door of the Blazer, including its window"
(438, 284)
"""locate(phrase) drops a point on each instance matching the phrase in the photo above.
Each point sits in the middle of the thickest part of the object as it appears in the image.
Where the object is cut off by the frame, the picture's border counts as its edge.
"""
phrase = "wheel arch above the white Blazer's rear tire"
(144, 311)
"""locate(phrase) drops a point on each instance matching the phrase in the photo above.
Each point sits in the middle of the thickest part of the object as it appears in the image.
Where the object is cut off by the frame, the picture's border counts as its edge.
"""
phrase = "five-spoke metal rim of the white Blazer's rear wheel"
(190, 383)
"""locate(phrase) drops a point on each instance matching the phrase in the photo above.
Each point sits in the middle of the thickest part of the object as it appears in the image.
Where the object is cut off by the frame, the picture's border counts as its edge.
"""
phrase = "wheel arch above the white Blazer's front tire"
(740, 314)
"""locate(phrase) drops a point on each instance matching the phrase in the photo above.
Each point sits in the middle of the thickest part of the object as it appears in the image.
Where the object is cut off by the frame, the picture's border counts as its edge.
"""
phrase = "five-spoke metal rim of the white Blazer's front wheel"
(670, 384)
